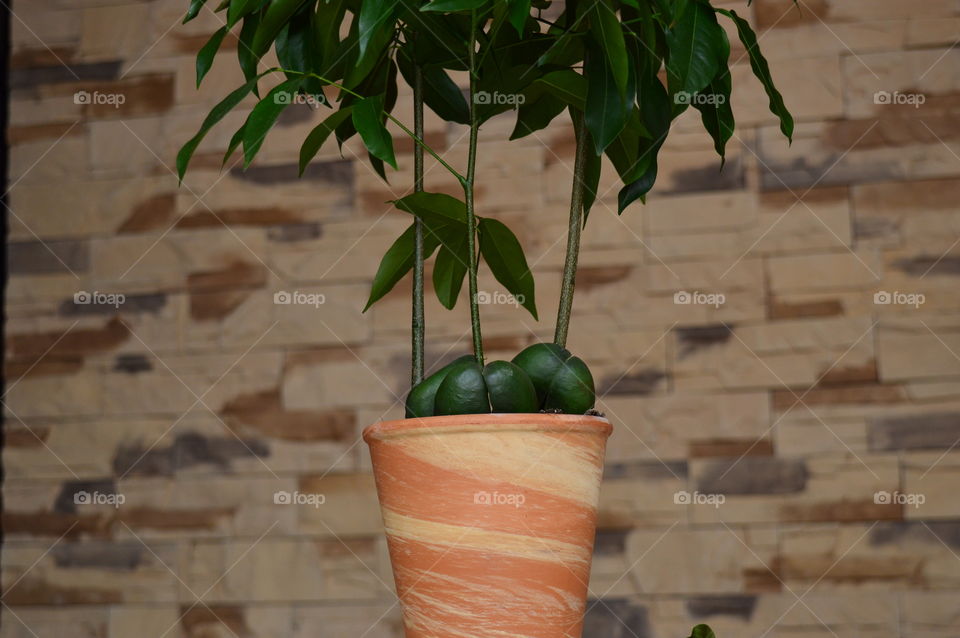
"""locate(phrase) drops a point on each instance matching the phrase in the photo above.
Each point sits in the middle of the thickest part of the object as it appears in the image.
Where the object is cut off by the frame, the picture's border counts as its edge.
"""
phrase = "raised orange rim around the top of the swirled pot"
(487, 423)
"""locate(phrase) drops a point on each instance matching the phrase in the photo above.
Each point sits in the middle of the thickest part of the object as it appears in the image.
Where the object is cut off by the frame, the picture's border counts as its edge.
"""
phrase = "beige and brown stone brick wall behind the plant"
(826, 418)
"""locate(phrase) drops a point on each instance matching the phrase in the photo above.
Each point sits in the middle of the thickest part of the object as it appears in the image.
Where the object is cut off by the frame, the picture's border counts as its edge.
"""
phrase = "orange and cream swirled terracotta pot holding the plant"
(490, 520)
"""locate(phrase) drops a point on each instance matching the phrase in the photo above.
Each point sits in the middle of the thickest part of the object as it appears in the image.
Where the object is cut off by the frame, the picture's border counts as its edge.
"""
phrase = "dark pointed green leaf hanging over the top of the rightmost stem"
(607, 110)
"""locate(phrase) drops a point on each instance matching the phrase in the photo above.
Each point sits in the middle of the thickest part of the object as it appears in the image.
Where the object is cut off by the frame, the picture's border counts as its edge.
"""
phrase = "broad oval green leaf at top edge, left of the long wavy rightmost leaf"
(695, 44)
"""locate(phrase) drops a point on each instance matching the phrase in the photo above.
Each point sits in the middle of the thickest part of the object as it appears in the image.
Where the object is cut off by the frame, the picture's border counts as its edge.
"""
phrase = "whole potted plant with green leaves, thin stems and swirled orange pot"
(489, 487)
